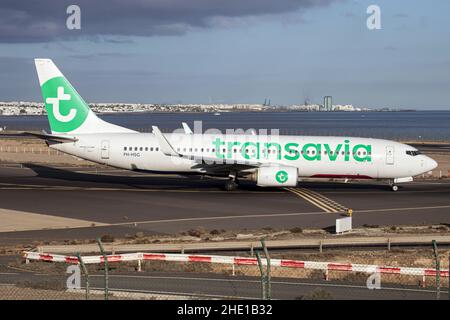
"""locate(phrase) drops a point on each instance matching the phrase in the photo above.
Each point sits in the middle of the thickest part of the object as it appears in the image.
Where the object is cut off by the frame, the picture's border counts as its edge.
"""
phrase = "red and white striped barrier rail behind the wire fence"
(308, 265)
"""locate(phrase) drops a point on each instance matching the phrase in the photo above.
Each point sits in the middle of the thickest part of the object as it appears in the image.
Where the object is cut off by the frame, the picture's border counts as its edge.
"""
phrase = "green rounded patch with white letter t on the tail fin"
(65, 108)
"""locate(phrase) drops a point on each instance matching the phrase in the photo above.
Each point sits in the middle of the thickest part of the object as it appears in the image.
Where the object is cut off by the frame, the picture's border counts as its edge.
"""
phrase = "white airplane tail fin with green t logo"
(67, 112)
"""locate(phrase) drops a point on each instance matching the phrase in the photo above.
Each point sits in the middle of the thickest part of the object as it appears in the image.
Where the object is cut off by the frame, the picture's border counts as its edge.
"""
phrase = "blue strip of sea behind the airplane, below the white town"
(411, 125)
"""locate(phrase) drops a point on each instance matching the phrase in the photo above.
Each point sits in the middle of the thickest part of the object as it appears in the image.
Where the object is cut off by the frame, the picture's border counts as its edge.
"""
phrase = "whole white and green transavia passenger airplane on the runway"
(268, 160)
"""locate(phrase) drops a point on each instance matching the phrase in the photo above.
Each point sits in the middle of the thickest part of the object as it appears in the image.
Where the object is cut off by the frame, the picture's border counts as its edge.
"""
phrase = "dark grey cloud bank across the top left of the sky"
(45, 20)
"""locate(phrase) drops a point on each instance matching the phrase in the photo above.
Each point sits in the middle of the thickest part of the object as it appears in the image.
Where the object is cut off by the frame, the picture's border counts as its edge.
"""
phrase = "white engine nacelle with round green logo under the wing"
(275, 176)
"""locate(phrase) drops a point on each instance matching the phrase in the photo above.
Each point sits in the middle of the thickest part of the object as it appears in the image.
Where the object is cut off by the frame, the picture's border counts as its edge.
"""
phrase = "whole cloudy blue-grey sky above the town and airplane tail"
(232, 51)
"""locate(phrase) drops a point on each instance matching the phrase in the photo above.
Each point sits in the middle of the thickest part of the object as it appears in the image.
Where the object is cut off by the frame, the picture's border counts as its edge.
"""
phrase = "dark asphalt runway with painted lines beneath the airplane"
(94, 202)
